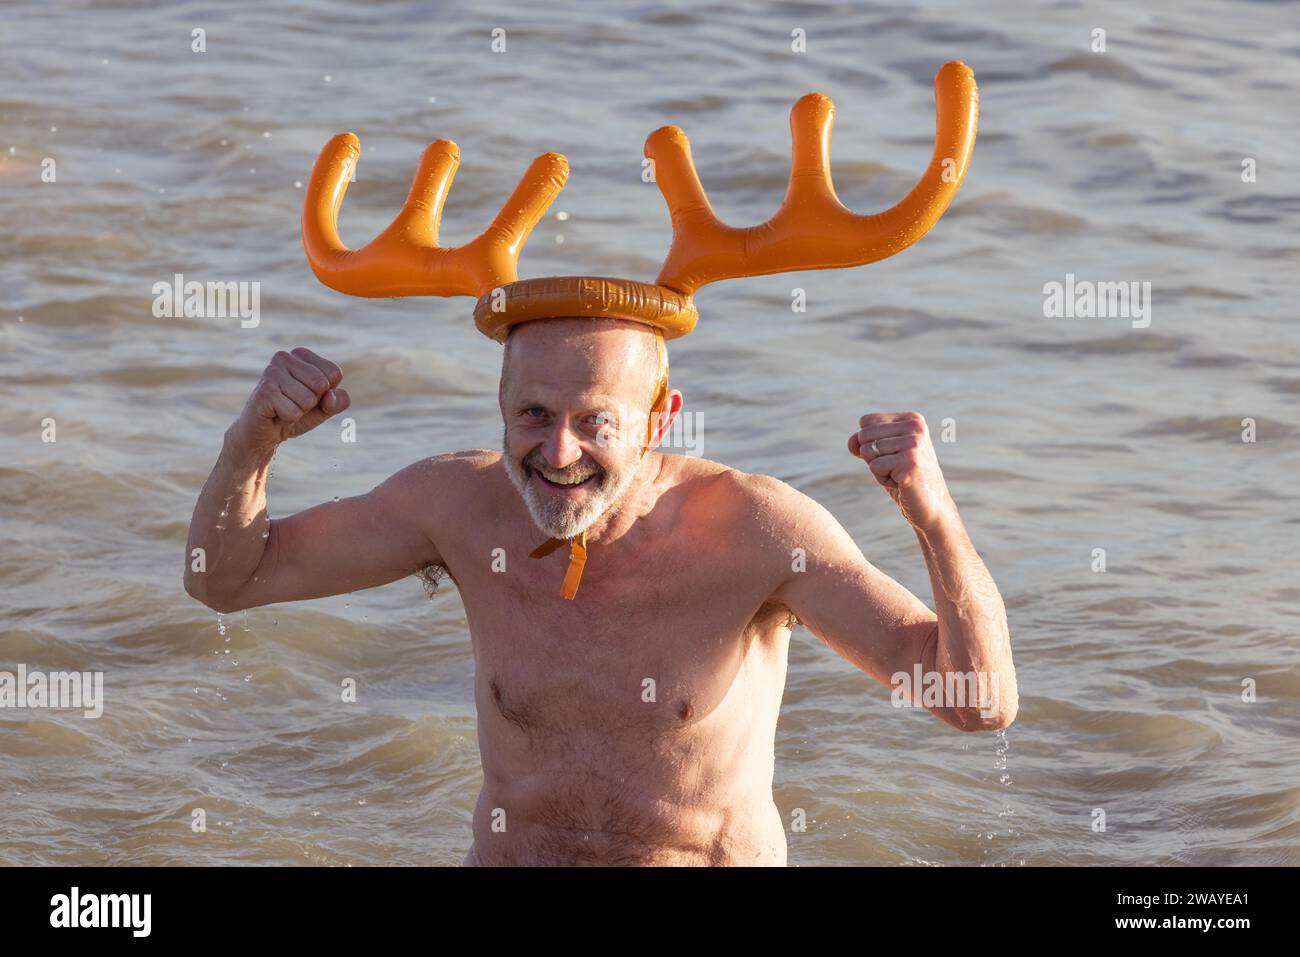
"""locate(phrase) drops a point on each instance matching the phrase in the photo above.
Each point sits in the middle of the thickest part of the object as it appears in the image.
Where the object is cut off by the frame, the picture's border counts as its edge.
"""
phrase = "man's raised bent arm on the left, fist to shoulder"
(249, 560)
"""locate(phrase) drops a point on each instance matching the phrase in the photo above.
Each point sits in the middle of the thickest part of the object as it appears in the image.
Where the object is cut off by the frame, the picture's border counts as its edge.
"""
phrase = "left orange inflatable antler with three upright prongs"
(406, 259)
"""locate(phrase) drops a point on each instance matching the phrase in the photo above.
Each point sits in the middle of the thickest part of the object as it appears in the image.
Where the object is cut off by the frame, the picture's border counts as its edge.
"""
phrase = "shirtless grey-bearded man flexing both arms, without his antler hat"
(634, 725)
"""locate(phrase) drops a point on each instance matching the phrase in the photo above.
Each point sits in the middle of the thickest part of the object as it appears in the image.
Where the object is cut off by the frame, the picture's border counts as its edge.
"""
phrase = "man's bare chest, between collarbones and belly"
(643, 655)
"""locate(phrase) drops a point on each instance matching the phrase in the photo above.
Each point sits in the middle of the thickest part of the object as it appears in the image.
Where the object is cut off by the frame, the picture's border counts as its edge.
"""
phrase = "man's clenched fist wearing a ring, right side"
(905, 464)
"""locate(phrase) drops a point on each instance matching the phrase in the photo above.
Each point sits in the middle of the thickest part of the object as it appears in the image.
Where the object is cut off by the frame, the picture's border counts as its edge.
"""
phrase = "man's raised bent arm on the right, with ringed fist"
(963, 649)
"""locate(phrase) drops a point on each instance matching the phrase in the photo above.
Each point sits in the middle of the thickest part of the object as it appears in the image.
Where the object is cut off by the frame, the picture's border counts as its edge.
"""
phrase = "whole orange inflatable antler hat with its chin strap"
(812, 231)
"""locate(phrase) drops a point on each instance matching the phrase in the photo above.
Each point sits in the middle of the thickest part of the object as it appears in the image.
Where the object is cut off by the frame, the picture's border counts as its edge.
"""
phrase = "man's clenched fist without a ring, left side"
(297, 393)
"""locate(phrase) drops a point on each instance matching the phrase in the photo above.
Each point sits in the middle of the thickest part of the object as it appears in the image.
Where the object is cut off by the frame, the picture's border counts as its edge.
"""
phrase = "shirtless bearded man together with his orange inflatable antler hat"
(630, 716)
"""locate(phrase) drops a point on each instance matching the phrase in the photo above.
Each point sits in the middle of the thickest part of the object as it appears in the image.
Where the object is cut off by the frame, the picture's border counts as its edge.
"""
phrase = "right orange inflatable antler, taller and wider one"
(813, 229)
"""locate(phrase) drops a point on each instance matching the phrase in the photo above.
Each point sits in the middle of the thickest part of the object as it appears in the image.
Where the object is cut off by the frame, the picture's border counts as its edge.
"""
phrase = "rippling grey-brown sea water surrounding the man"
(1072, 435)
